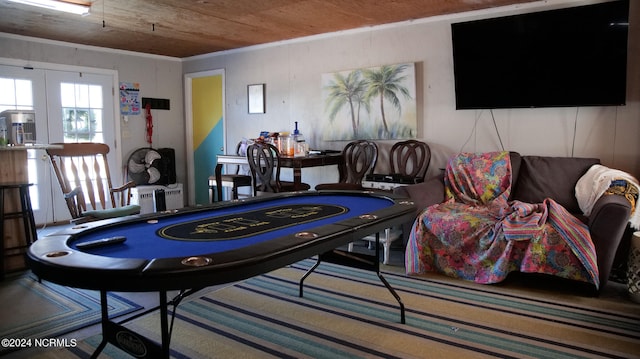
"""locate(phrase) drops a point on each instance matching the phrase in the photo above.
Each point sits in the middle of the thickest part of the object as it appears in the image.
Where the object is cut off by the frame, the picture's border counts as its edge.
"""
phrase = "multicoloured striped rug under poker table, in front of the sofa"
(347, 313)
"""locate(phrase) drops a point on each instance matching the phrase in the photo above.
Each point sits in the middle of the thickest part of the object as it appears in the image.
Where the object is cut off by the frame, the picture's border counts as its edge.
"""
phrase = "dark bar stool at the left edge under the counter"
(25, 213)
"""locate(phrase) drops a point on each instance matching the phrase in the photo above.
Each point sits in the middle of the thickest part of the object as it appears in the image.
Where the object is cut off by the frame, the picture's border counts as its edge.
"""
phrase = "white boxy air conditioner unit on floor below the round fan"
(158, 198)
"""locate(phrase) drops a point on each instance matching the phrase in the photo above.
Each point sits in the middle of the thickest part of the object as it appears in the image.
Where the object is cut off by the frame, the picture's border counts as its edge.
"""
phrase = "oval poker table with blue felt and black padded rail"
(193, 248)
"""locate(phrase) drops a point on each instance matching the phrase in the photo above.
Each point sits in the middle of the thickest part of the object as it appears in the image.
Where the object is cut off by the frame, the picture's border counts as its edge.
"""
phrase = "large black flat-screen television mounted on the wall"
(557, 58)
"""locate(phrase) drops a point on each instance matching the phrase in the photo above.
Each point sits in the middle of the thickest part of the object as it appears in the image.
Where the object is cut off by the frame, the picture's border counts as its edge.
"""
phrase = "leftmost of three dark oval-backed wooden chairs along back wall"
(265, 170)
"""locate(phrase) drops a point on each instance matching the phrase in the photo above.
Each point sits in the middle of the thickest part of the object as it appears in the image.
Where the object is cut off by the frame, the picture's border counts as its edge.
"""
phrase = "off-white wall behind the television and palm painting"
(292, 72)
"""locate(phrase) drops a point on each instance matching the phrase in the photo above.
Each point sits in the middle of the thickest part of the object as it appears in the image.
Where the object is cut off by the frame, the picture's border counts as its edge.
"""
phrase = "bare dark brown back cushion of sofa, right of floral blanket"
(551, 177)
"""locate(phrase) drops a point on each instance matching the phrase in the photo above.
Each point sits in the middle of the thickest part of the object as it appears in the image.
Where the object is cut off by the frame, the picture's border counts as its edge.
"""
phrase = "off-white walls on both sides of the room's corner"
(292, 71)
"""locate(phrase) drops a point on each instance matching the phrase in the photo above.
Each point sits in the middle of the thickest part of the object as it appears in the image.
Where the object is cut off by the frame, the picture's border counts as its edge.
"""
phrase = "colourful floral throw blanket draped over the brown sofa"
(477, 234)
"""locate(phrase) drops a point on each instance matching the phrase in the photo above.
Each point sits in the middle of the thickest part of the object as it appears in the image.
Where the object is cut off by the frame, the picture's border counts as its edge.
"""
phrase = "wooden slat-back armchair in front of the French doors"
(83, 173)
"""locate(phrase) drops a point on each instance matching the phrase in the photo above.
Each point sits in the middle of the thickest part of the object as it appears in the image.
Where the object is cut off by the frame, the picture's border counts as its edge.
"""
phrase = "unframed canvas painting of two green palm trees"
(372, 103)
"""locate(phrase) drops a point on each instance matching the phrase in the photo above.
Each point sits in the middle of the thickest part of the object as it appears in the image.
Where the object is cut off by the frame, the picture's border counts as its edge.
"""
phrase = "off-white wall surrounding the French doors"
(159, 77)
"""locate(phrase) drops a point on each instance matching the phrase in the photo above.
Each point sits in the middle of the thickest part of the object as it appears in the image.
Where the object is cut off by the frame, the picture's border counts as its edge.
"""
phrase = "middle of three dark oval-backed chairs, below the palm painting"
(360, 159)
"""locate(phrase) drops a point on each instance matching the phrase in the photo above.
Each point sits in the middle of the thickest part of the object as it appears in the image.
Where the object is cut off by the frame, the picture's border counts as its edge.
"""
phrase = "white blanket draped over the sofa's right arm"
(595, 182)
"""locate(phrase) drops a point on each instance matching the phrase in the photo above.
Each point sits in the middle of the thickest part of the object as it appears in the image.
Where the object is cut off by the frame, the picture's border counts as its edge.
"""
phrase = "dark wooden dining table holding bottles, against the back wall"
(295, 163)
